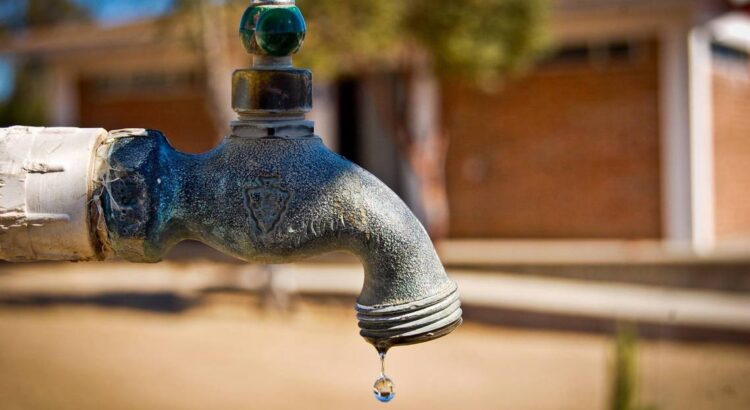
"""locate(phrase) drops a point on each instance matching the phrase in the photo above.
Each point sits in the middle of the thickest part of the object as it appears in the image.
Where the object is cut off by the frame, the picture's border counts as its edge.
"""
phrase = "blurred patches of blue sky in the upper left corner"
(106, 12)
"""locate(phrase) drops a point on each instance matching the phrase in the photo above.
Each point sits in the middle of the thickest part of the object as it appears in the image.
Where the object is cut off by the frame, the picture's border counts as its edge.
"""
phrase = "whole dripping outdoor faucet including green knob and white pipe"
(271, 192)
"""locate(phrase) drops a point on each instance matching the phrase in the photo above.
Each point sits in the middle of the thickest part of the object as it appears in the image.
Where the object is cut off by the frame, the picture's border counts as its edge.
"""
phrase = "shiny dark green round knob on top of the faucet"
(273, 28)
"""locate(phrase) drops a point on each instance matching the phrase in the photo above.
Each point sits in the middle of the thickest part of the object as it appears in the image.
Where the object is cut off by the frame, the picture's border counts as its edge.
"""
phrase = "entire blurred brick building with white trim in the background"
(637, 127)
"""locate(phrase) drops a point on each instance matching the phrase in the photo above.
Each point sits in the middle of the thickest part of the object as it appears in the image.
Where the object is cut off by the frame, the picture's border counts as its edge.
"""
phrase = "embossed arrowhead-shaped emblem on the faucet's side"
(266, 200)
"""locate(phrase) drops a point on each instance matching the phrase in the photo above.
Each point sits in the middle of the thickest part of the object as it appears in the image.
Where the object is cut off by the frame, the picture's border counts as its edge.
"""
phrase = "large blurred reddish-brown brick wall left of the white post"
(570, 151)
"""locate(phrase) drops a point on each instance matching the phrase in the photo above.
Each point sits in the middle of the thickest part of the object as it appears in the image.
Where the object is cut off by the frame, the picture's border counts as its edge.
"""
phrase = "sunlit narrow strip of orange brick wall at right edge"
(732, 139)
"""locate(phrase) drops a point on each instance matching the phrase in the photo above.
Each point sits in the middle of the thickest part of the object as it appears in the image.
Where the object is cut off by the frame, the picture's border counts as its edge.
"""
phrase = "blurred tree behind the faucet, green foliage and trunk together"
(425, 41)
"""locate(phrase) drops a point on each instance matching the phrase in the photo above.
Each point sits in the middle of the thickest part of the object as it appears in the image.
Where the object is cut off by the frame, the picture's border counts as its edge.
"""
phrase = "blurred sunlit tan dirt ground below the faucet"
(228, 354)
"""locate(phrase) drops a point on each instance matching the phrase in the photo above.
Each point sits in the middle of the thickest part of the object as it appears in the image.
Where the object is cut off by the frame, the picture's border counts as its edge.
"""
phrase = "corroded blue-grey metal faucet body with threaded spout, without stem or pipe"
(280, 199)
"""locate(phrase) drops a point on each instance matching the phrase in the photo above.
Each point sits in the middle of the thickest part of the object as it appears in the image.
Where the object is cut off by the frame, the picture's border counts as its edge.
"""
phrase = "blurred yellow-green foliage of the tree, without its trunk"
(474, 39)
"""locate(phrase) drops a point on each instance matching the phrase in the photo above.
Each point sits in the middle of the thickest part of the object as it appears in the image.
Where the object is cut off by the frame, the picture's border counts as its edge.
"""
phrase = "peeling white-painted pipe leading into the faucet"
(47, 176)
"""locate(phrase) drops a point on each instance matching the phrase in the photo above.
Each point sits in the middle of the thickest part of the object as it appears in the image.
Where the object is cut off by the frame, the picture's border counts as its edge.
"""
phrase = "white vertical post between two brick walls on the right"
(687, 138)
